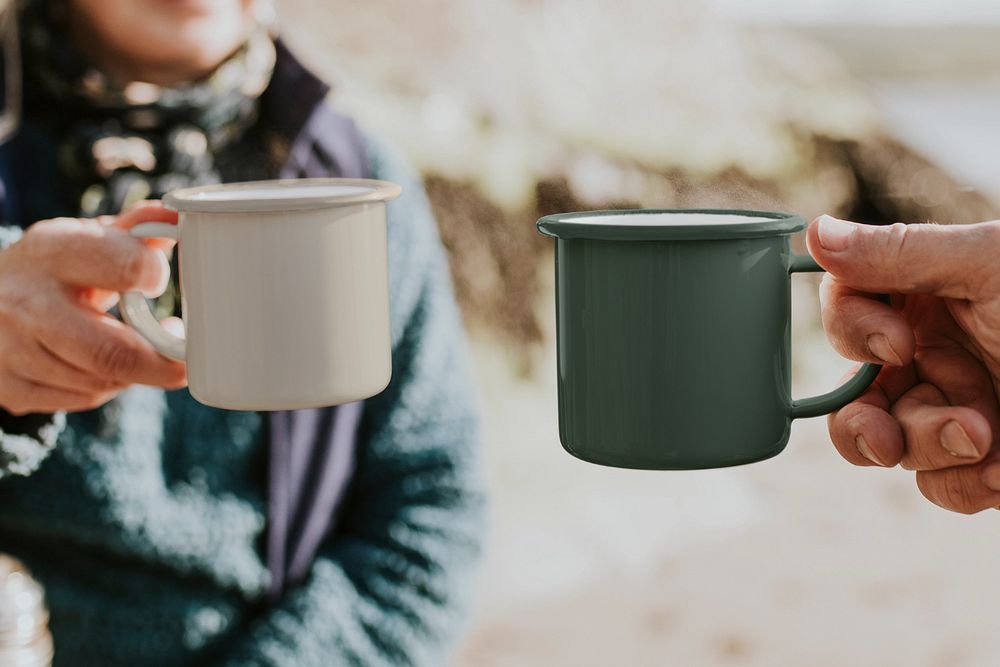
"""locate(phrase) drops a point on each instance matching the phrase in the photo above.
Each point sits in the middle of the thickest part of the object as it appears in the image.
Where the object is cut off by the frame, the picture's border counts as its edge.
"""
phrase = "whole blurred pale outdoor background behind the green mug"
(880, 111)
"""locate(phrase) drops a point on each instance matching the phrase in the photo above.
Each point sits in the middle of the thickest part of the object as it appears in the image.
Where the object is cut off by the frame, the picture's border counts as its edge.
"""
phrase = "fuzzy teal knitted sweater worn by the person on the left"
(144, 519)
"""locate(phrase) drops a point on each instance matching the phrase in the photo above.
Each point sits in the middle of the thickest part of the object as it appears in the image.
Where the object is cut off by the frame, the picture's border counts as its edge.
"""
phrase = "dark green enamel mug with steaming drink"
(674, 337)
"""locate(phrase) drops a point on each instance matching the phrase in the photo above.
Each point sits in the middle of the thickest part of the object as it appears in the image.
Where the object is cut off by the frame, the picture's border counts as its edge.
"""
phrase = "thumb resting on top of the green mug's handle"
(956, 261)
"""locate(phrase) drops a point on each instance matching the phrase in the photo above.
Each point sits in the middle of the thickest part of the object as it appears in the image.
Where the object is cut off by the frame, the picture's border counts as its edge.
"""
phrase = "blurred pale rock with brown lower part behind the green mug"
(519, 109)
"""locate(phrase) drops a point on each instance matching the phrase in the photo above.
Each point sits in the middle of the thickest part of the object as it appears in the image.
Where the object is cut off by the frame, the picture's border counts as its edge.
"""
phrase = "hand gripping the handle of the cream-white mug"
(59, 349)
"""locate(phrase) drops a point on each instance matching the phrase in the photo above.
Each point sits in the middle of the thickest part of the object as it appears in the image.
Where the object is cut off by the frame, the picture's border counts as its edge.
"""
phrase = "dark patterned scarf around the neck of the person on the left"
(121, 142)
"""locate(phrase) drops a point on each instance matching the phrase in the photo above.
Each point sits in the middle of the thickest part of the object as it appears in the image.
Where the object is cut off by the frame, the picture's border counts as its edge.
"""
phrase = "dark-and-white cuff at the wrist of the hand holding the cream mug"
(26, 440)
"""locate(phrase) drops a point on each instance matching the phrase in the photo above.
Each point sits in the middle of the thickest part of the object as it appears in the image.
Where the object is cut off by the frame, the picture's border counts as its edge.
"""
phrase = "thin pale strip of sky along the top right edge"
(891, 12)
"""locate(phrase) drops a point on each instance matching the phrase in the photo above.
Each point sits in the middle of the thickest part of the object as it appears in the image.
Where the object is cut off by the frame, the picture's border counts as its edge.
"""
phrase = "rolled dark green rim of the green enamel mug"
(777, 223)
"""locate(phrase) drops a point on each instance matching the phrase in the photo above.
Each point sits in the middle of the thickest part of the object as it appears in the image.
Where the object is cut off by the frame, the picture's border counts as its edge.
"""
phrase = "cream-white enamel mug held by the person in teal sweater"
(284, 292)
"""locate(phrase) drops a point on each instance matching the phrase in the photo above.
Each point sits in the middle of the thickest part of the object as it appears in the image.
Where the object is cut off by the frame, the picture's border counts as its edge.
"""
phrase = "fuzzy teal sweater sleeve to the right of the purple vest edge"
(390, 586)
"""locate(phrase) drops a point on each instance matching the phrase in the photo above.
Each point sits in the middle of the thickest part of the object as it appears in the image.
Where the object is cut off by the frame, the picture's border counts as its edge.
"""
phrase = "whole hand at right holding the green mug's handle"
(933, 407)
